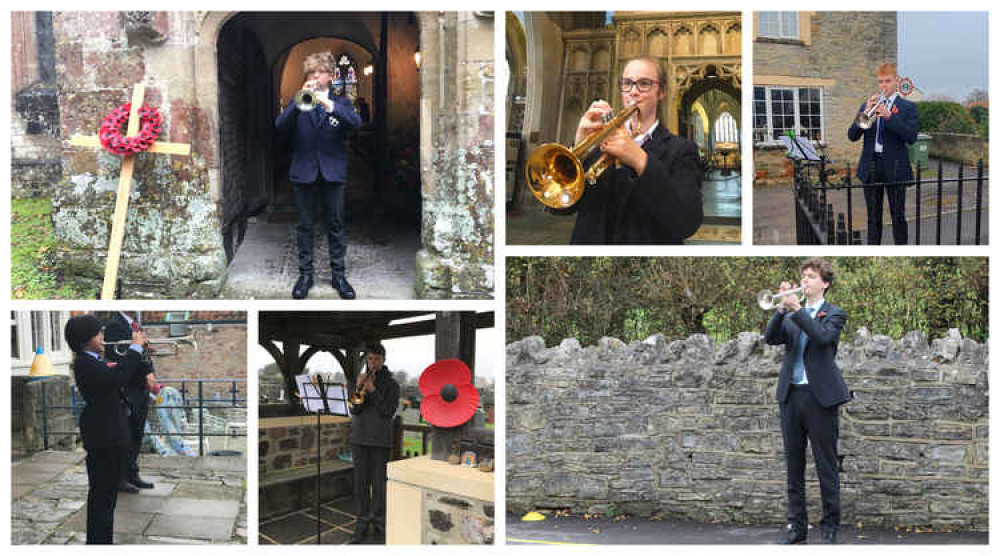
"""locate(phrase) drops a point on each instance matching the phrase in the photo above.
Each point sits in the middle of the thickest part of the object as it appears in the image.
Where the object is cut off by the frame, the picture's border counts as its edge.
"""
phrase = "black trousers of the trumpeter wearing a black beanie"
(103, 471)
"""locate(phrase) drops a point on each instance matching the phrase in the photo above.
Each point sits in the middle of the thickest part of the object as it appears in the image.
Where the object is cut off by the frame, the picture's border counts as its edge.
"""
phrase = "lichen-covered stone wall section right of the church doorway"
(456, 155)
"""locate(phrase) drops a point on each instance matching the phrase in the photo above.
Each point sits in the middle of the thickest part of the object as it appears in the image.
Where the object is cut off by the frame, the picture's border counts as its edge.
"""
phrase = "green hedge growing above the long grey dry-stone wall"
(632, 298)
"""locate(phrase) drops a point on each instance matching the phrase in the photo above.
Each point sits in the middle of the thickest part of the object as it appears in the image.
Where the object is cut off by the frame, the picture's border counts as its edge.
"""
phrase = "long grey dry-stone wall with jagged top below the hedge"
(690, 430)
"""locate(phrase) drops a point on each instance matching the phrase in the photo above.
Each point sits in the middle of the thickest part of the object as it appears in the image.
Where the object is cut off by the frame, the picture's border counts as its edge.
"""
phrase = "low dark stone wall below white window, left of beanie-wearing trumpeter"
(27, 418)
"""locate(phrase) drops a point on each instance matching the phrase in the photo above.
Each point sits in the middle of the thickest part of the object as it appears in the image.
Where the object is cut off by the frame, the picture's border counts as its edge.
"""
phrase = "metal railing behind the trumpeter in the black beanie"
(234, 398)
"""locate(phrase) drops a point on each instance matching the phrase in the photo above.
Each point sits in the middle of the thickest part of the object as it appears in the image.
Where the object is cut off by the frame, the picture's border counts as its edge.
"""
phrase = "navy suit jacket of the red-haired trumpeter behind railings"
(898, 131)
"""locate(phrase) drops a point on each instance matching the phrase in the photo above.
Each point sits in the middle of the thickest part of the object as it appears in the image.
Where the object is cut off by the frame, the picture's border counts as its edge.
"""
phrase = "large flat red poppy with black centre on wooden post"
(450, 399)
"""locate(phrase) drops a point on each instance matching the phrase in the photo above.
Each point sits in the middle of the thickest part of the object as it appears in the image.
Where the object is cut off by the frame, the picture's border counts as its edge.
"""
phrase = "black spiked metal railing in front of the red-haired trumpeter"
(825, 216)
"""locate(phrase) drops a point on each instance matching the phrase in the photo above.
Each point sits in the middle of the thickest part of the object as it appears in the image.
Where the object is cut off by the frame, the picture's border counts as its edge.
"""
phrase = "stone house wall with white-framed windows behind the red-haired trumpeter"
(839, 52)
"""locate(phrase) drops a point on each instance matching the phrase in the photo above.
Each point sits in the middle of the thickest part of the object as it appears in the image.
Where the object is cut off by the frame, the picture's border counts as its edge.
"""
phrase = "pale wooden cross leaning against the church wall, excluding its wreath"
(125, 187)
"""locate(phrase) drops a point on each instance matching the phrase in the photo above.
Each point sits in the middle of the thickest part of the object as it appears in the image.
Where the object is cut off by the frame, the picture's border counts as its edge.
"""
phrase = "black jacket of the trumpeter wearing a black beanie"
(104, 421)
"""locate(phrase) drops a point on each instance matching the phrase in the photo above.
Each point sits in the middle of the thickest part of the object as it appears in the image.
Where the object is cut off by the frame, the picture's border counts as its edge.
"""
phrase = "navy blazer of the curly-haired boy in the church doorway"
(318, 140)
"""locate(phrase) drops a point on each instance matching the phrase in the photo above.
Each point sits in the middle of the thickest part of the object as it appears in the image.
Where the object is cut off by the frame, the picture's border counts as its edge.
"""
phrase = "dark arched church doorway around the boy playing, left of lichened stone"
(259, 65)
